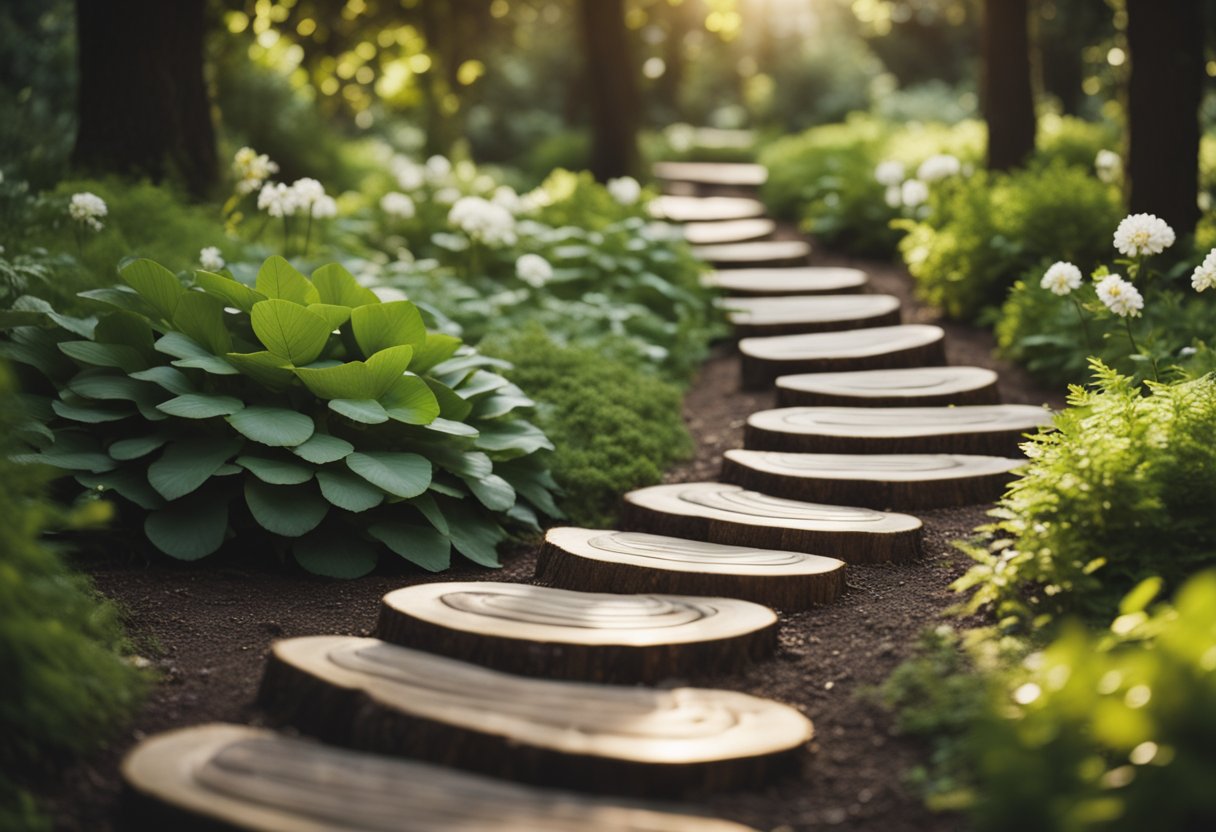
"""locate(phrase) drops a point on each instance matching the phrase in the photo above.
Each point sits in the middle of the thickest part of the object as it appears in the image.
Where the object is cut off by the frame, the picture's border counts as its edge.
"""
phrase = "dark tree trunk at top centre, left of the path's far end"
(612, 88)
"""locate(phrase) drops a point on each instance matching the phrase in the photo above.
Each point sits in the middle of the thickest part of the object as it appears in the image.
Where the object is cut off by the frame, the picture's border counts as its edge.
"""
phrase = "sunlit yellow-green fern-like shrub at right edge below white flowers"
(1123, 490)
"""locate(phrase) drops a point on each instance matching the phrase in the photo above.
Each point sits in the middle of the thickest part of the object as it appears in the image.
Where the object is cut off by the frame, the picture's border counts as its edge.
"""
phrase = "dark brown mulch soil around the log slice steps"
(207, 629)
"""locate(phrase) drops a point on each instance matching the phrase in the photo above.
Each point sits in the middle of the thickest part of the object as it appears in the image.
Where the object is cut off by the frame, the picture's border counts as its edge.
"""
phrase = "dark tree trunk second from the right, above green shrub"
(1009, 95)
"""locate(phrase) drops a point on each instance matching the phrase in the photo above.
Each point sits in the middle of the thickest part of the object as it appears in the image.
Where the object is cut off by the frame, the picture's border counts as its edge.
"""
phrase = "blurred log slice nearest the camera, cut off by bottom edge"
(241, 778)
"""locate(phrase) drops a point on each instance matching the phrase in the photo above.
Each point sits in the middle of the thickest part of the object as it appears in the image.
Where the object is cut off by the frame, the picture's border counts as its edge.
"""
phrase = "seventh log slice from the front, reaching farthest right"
(992, 430)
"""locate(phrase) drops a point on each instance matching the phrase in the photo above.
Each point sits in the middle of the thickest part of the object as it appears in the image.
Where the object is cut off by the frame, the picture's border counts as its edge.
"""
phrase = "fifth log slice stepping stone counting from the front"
(725, 514)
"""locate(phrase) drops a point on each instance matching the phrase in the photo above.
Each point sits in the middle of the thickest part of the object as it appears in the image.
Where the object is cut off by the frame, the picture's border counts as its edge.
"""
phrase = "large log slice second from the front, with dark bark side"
(375, 696)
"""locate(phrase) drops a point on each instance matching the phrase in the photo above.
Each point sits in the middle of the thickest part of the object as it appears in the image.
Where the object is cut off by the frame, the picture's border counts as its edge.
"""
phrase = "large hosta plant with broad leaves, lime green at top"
(307, 409)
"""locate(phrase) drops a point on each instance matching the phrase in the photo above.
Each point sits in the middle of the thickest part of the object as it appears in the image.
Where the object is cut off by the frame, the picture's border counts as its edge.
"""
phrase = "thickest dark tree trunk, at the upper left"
(143, 100)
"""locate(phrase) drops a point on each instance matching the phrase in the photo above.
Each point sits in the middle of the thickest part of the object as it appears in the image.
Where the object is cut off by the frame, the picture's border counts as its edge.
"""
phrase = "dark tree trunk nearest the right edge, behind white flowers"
(1166, 41)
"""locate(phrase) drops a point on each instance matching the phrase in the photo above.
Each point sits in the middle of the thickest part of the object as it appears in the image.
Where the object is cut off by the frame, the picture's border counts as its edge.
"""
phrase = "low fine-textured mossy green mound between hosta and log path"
(616, 428)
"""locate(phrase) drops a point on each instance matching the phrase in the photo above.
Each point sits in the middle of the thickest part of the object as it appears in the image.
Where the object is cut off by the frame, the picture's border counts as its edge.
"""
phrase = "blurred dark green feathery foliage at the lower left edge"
(67, 687)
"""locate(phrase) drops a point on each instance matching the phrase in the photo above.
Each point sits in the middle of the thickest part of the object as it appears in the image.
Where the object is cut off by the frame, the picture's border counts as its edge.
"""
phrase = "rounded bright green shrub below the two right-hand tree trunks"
(984, 233)
